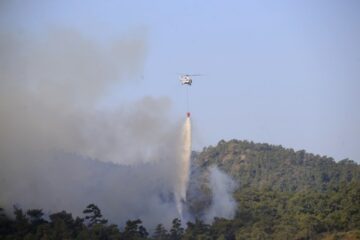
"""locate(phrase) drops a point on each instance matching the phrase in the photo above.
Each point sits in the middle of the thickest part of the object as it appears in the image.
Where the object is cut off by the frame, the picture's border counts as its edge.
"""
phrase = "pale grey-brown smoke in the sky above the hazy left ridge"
(50, 86)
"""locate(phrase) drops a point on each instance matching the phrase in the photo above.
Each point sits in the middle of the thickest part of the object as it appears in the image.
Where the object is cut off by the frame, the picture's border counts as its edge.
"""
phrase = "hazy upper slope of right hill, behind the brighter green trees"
(262, 165)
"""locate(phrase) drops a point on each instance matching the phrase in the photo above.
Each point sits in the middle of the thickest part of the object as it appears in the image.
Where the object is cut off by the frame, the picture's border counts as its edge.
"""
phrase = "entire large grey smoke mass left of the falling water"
(51, 131)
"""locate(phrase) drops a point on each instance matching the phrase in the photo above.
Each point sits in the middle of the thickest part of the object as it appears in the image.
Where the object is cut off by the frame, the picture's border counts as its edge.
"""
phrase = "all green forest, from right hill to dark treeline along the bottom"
(281, 194)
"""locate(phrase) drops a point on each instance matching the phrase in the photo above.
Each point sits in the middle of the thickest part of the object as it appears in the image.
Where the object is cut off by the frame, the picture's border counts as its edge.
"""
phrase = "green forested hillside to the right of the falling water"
(282, 193)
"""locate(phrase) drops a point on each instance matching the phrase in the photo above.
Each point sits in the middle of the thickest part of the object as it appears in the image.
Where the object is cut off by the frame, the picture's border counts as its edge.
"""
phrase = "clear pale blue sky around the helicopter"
(281, 72)
